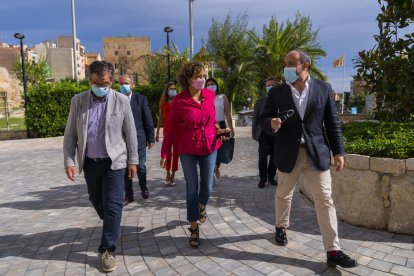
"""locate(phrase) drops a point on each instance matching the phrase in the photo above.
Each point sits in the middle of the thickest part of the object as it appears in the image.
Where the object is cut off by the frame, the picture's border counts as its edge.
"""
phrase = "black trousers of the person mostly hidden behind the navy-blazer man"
(267, 169)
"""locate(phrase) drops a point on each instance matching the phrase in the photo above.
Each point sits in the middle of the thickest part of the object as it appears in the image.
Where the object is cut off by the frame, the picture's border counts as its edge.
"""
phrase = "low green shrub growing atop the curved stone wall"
(379, 139)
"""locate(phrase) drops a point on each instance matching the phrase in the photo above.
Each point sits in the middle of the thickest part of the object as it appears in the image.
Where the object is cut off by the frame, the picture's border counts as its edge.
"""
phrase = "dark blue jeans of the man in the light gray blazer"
(106, 190)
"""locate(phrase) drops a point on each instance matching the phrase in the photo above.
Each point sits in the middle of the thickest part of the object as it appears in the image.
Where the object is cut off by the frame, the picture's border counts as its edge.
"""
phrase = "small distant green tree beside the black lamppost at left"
(36, 72)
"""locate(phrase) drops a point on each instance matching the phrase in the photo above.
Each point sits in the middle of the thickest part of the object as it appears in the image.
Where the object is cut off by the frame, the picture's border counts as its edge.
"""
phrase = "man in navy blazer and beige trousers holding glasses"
(302, 115)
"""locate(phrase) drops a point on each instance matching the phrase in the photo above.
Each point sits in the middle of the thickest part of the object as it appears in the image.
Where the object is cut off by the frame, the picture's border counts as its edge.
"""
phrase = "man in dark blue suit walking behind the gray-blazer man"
(145, 135)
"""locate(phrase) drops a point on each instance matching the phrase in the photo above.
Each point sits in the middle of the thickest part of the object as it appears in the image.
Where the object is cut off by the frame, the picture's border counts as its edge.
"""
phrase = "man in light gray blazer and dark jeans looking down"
(101, 131)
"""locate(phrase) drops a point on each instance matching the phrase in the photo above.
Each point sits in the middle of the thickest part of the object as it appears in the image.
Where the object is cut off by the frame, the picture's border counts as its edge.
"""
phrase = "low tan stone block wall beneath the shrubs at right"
(374, 192)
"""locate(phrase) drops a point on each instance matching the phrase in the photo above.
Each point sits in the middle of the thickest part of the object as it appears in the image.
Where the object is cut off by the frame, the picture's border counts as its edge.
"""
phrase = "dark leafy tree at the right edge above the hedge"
(388, 67)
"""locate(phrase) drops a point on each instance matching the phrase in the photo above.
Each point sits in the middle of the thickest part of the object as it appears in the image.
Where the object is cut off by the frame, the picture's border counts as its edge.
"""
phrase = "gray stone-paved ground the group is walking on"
(48, 227)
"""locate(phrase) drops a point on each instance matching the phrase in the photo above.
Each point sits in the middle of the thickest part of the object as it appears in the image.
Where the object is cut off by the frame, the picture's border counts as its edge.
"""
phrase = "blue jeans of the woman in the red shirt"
(196, 193)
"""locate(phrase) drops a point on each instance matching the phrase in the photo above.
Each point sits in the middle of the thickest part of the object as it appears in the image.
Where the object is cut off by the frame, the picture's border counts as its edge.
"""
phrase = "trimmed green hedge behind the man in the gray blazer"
(48, 105)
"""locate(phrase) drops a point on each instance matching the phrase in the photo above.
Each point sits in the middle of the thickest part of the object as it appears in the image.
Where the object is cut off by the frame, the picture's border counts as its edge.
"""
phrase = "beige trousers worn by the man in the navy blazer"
(319, 184)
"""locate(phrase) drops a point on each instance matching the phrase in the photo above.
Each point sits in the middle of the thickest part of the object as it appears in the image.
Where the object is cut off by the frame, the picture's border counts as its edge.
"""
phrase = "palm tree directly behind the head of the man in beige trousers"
(279, 39)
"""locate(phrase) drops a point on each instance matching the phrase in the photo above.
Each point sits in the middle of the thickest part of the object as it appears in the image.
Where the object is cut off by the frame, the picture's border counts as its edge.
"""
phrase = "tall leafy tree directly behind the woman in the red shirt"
(229, 48)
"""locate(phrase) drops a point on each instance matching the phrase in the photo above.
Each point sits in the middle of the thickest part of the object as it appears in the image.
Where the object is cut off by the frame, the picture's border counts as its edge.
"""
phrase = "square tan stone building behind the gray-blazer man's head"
(128, 54)
